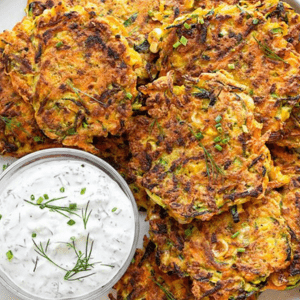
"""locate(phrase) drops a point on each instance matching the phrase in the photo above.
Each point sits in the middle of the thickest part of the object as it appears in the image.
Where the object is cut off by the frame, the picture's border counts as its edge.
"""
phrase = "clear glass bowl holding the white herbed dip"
(60, 154)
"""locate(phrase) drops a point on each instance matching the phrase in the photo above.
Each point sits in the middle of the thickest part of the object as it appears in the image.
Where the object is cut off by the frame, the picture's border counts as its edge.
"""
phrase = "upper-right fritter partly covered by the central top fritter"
(239, 41)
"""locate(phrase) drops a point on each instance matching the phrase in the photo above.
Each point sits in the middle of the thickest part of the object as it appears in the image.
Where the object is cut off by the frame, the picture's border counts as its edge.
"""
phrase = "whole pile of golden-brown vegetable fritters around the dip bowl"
(196, 103)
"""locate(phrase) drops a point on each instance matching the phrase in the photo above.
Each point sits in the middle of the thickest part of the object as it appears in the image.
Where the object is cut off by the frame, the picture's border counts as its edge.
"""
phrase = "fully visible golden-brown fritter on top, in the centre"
(201, 151)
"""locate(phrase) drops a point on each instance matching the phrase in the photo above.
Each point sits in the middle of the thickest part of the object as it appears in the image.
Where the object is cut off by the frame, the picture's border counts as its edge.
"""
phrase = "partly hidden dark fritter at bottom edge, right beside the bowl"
(145, 281)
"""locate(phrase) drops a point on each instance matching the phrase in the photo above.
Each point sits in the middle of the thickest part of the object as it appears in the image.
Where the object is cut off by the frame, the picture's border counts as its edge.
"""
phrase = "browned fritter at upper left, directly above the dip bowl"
(86, 82)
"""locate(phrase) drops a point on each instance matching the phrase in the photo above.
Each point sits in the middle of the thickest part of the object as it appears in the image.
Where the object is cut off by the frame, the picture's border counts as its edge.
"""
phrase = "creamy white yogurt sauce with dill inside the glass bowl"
(110, 227)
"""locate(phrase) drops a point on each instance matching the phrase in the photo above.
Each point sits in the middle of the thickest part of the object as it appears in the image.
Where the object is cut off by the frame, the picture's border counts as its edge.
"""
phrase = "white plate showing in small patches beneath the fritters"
(11, 12)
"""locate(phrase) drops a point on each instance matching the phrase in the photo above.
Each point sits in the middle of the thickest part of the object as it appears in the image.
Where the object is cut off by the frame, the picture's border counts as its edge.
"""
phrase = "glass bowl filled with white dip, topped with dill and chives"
(68, 226)
